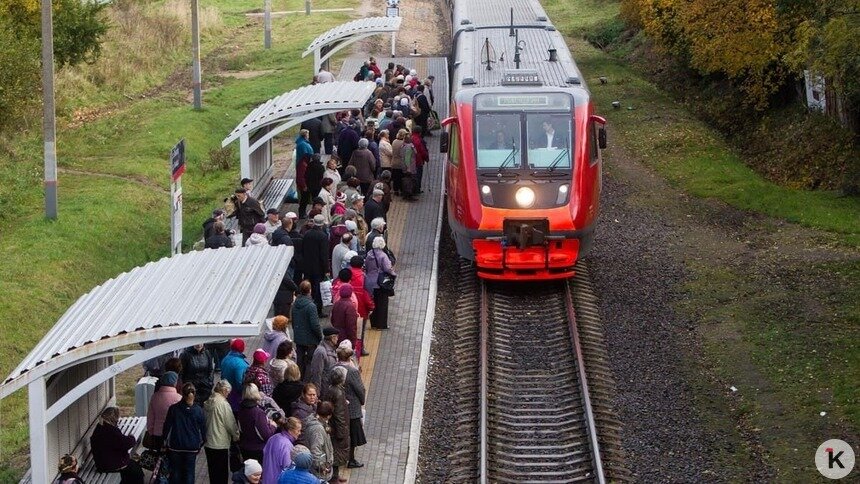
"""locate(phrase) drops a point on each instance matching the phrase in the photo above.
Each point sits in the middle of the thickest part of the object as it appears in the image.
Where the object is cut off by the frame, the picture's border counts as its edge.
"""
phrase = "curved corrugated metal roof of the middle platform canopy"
(340, 95)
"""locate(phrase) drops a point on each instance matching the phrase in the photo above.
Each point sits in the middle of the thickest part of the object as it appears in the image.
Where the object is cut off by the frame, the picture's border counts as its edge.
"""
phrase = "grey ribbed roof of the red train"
(478, 23)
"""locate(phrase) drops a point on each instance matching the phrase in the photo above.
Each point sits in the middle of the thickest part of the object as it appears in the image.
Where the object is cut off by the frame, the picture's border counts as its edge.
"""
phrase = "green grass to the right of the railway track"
(790, 348)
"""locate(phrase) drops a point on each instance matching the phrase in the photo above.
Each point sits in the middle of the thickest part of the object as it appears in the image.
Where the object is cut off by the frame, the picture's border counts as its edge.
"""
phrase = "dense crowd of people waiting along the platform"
(293, 411)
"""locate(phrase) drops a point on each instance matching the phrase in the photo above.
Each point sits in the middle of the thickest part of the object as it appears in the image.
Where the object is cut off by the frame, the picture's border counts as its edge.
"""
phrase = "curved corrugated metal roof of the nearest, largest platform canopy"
(213, 289)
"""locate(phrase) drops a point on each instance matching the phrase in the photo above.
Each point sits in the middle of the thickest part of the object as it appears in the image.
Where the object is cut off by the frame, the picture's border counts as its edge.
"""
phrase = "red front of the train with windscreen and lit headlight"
(523, 196)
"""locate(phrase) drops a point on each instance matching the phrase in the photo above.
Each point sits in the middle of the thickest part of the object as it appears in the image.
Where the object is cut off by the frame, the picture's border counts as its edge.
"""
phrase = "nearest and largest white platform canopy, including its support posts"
(170, 304)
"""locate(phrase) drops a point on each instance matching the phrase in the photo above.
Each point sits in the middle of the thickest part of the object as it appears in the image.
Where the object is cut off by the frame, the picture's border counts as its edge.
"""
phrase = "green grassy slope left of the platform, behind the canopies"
(114, 216)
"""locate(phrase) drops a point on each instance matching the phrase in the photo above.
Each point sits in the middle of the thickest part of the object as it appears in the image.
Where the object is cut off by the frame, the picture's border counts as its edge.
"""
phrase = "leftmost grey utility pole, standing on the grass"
(49, 124)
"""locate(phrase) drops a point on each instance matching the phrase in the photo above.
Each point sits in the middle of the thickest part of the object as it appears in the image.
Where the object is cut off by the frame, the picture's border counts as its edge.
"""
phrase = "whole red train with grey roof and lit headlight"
(523, 144)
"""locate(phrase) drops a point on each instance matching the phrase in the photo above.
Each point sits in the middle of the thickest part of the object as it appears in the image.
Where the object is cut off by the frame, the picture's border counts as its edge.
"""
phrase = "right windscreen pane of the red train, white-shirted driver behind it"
(549, 140)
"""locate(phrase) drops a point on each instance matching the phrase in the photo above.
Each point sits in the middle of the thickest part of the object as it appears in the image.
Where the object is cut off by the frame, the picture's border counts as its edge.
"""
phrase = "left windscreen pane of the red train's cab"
(498, 140)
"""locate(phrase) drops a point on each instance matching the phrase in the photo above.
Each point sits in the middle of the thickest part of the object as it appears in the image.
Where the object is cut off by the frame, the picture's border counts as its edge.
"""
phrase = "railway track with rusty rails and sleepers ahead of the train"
(534, 393)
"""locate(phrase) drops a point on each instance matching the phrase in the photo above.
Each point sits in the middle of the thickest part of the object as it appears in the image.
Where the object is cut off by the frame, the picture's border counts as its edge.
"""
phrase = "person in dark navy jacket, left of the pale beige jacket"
(184, 431)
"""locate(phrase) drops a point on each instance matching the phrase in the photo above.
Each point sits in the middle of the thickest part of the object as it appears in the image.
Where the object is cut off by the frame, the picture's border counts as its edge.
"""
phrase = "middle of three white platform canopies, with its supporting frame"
(292, 108)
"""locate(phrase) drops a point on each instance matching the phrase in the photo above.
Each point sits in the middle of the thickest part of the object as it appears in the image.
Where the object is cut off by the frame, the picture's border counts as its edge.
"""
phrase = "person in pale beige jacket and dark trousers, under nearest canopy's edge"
(221, 432)
